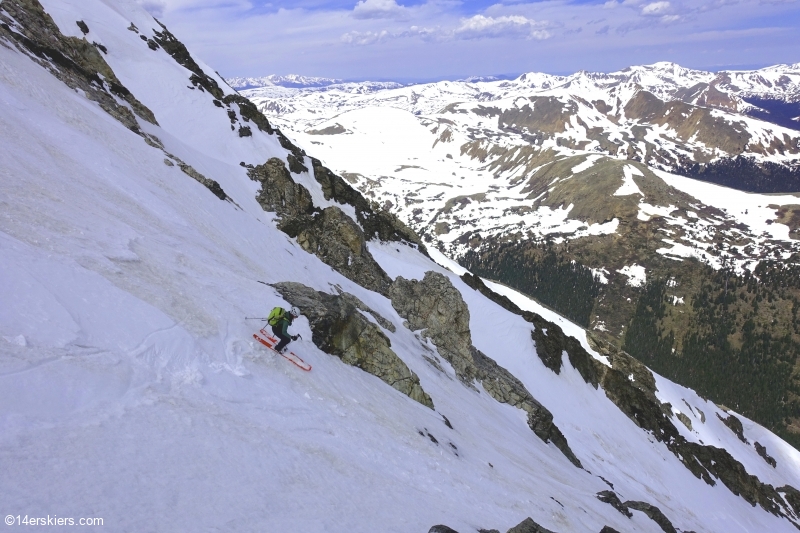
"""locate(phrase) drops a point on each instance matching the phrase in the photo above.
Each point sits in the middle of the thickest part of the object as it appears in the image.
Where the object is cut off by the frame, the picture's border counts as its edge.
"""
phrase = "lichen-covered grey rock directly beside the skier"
(338, 328)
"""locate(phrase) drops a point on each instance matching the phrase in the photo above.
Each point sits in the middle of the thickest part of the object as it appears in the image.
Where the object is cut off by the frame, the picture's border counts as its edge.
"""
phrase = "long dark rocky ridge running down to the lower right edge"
(638, 401)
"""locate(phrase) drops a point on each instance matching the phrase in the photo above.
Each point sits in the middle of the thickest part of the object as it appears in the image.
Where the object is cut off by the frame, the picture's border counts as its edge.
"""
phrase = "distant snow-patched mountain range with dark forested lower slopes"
(576, 189)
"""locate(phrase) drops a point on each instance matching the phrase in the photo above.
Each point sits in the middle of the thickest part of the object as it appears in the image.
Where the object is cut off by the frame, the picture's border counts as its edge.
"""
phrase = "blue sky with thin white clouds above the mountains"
(423, 40)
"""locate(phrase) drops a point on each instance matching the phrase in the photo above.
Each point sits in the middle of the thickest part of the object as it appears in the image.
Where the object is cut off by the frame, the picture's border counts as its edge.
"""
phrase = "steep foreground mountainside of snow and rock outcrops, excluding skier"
(127, 366)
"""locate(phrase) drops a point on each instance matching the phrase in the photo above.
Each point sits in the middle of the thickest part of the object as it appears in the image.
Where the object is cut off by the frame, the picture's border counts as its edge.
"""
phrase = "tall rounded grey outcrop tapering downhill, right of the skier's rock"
(435, 306)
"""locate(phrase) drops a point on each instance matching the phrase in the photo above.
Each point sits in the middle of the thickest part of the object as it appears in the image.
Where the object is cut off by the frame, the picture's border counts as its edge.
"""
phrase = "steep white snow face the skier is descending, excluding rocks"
(131, 388)
